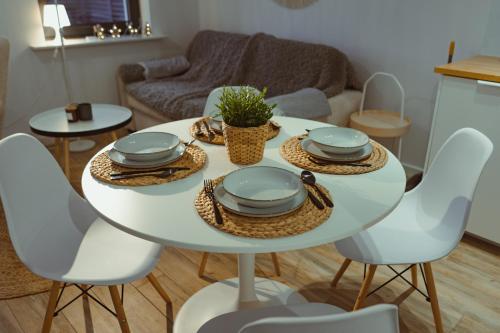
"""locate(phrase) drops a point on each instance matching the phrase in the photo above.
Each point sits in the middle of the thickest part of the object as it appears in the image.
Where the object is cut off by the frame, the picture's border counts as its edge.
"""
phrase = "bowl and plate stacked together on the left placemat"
(147, 150)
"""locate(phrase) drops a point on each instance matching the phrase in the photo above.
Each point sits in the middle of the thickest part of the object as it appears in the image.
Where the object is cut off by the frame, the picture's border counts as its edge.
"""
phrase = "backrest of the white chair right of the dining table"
(447, 189)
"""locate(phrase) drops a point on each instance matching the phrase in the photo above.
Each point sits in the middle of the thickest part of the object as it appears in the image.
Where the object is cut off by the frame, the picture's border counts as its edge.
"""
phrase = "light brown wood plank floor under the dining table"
(467, 281)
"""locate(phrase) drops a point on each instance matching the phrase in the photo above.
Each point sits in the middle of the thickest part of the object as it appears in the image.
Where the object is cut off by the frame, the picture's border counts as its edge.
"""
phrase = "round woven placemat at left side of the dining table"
(194, 158)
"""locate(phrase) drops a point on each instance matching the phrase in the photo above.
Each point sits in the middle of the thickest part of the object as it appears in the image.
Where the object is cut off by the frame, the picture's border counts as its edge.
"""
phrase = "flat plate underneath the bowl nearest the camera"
(229, 203)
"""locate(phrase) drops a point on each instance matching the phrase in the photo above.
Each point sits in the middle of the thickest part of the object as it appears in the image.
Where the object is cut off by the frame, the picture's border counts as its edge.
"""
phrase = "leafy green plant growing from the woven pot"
(244, 107)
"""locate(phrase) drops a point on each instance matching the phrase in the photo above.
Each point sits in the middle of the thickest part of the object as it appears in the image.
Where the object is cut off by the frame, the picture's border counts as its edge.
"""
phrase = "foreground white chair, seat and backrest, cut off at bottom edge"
(309, 317)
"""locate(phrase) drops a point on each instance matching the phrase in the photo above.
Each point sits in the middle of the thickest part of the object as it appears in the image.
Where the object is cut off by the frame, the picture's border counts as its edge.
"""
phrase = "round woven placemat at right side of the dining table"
(292, 152)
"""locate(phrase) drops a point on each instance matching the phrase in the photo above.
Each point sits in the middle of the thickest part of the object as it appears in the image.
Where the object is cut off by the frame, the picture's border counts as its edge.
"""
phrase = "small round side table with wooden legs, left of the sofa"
(53, 123)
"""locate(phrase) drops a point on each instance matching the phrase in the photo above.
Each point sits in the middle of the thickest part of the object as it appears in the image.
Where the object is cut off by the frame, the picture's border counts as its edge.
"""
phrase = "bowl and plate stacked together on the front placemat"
(261, 192)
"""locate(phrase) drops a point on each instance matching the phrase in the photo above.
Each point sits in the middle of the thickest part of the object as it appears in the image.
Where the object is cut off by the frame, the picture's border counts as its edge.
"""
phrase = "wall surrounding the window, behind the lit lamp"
(35, 78)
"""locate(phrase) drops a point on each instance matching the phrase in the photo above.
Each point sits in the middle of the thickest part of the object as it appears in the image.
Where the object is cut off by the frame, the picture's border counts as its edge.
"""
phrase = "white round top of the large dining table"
(166, 213)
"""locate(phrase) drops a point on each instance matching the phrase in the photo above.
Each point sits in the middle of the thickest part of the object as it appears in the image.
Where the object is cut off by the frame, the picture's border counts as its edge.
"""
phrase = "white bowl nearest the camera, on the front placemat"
(262, 186)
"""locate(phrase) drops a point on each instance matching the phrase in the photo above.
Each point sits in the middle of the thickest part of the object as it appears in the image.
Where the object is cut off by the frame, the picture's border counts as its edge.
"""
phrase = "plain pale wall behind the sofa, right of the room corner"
(405, 37)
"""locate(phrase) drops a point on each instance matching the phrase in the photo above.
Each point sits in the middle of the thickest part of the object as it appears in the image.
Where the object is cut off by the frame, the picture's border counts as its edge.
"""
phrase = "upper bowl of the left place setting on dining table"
(147, 146)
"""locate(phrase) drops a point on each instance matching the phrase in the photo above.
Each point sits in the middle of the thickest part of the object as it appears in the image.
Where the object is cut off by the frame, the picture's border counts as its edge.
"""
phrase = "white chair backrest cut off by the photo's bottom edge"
(382, 318)
